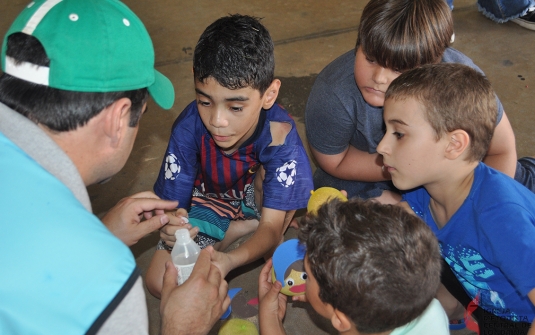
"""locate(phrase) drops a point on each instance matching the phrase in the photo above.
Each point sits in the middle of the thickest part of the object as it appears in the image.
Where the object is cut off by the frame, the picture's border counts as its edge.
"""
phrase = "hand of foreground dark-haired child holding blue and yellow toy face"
(272, 303)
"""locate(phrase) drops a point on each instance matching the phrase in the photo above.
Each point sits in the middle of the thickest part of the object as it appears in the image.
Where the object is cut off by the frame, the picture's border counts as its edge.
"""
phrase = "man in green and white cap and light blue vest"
(77, 74)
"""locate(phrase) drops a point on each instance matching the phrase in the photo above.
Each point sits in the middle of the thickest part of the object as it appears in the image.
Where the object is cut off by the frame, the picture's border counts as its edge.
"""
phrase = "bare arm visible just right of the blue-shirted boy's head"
(502, 151)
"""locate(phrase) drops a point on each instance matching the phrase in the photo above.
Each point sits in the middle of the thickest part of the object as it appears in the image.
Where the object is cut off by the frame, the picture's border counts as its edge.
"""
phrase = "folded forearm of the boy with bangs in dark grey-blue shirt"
(352, 164)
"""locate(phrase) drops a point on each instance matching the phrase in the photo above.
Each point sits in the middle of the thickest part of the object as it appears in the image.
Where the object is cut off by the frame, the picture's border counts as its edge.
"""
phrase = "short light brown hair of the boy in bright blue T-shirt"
(454, 96)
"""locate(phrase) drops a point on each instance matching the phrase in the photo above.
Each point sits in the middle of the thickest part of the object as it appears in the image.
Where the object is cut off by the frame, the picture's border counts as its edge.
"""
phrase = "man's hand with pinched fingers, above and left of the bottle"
(124, 220)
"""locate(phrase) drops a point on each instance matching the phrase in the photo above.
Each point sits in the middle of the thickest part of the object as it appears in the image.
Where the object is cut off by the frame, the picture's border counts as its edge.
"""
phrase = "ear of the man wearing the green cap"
(117, 119)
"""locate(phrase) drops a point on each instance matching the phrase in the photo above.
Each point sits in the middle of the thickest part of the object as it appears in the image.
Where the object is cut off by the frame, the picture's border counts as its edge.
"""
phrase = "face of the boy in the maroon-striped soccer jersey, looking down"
(229, 115)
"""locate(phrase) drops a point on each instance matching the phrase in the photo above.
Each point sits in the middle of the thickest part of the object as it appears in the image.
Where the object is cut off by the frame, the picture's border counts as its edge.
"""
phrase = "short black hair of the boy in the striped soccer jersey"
(237, 51)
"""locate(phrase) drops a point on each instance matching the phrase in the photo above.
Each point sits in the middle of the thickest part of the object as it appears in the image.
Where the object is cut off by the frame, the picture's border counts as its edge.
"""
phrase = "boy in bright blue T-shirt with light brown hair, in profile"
(439, 124)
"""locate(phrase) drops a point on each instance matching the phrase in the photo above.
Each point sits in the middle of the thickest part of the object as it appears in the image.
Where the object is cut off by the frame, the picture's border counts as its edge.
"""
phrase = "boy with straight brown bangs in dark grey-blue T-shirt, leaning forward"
(344, 112)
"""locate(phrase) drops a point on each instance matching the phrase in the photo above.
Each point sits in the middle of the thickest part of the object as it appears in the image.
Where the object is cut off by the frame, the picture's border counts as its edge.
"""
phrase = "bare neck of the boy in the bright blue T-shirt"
(448, 195)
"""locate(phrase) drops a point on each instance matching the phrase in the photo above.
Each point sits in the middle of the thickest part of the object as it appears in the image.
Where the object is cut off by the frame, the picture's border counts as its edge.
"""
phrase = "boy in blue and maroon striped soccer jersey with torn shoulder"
(235, 160)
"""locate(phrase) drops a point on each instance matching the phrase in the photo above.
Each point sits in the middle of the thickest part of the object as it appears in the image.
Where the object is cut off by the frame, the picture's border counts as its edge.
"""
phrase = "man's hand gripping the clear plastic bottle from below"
(195, 306)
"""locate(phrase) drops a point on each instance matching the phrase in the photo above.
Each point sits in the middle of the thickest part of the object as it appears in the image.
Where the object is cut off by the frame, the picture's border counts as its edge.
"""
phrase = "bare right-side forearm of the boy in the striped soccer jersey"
(266, 238)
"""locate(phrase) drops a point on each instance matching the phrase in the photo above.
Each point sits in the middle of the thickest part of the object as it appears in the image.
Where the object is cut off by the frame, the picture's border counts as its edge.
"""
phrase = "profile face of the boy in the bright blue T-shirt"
(411, 153)
